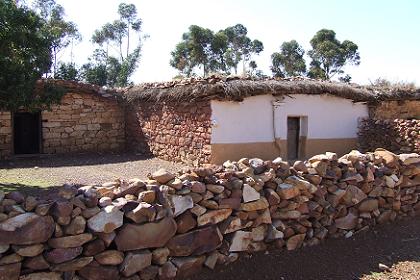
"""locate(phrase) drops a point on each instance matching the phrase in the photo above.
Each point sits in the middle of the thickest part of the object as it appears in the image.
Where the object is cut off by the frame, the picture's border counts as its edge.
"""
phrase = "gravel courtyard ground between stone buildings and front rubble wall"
(46, 171)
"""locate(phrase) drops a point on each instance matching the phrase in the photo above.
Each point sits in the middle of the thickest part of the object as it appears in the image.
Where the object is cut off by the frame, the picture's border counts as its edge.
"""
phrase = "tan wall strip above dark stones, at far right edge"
(403, 109)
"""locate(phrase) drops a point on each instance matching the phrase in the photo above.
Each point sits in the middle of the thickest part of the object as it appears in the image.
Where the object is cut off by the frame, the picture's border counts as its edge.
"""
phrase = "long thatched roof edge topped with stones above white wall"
(238, 88)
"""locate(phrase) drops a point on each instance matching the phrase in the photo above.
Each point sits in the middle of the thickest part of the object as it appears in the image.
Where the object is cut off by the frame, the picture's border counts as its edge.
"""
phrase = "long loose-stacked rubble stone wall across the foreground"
(172, 225)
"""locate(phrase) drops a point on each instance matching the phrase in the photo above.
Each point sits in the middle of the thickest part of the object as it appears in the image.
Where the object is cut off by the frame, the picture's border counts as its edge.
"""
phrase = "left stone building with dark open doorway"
(88, 118)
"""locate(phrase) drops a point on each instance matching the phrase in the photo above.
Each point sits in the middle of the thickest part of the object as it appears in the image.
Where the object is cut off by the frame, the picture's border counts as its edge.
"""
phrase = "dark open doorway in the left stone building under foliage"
(26, 133)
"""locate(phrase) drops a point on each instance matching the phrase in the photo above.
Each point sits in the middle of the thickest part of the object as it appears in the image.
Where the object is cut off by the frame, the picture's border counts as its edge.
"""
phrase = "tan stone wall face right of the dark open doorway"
(83, 122)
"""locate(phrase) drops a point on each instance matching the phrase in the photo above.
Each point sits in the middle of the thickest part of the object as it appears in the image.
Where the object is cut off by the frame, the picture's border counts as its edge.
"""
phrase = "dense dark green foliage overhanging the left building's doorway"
(25, 56)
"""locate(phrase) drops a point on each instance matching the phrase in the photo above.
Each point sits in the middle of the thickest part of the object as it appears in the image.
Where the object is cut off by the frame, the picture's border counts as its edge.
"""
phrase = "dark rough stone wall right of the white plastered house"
(396, 135)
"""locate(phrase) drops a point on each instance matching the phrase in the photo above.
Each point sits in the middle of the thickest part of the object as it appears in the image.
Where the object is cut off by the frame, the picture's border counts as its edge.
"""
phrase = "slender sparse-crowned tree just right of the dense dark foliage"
(61, 32)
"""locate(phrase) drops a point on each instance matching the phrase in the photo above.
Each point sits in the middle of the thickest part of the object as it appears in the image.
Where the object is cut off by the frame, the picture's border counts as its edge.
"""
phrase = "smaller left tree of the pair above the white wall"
(289, 61)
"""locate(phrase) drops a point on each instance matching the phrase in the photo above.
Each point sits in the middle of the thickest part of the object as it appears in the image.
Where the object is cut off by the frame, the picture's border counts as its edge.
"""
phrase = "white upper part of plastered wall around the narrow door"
(251, 121)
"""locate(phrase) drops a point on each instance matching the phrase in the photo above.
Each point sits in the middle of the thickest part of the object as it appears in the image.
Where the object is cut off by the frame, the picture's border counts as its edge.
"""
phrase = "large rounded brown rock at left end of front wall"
(26, 229)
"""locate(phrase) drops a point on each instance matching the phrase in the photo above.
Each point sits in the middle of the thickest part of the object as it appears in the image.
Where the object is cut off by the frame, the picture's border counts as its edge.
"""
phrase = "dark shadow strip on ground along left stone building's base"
(69, 160)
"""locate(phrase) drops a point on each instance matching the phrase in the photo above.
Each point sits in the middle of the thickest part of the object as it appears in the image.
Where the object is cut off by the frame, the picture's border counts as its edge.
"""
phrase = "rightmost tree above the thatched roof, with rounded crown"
(329, 55)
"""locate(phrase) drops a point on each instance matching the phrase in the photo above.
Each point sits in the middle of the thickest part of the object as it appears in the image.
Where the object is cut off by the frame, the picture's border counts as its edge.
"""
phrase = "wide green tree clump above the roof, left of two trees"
(214, 52)
